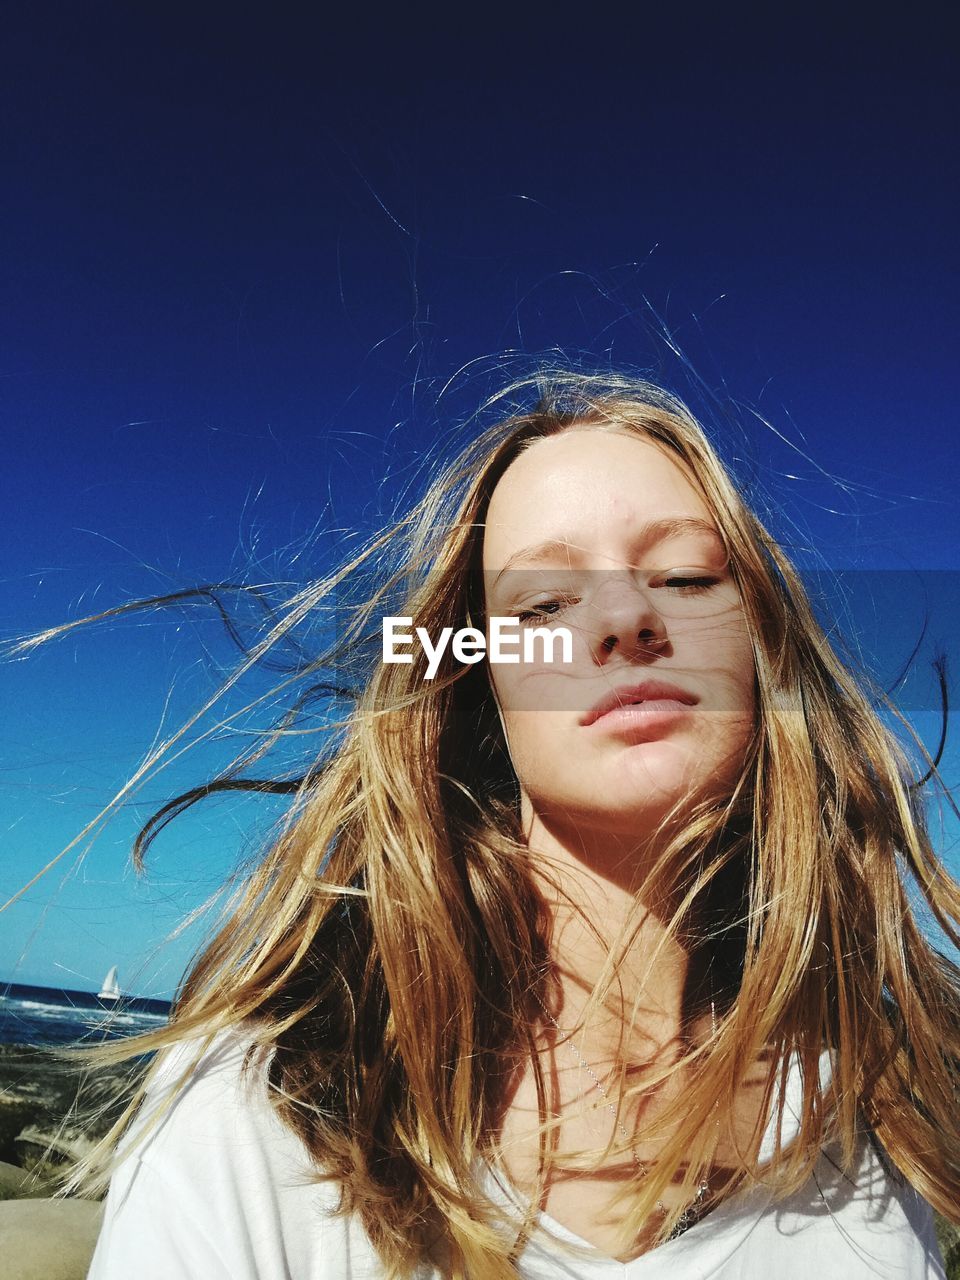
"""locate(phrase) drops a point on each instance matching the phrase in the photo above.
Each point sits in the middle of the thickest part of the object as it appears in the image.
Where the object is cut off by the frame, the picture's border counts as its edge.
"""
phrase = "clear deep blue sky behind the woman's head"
(244, 249)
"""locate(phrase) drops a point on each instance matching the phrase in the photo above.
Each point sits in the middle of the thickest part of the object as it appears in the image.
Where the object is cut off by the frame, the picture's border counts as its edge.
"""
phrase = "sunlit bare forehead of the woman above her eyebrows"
(589, 487)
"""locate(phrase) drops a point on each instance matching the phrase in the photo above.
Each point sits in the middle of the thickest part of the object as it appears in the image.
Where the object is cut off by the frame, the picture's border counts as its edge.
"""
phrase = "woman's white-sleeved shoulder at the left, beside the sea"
(212, 1183)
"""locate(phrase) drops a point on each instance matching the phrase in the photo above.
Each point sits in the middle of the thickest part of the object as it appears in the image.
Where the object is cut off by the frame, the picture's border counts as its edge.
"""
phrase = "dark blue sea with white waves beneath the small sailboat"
(52, 1016)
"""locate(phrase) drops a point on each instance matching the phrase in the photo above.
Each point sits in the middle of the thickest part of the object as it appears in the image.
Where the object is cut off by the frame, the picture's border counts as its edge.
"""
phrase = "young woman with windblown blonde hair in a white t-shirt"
(592, 967)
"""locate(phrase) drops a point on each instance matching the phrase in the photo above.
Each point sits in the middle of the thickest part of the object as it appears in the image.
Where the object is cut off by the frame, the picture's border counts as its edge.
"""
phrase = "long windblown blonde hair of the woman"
(394, 949)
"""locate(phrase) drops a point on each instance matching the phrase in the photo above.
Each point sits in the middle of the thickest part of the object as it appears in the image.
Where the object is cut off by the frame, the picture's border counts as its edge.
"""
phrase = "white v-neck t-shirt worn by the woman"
(221, 1191)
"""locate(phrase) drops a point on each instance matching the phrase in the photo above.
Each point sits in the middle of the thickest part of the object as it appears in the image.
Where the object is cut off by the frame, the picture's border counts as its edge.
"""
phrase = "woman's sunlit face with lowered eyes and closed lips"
(644, 605)
